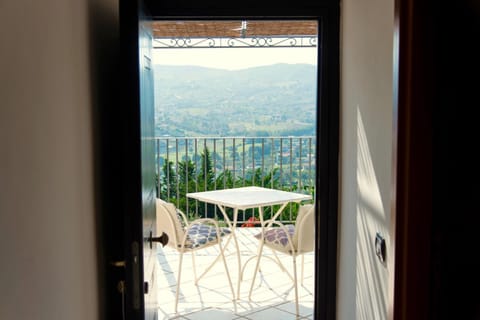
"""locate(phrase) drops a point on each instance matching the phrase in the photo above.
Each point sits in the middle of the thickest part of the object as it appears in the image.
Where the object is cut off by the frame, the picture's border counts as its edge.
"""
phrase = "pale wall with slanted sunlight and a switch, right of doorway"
(366, 106)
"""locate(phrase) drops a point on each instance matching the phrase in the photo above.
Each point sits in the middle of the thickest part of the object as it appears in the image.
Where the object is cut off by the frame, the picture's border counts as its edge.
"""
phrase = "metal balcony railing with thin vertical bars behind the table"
(194, 164)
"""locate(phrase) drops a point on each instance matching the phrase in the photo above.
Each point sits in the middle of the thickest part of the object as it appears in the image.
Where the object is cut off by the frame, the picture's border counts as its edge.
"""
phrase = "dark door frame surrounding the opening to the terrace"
(126, 148)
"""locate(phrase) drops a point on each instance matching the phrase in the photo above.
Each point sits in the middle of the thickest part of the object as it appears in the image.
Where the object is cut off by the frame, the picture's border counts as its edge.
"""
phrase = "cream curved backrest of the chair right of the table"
(304, 236)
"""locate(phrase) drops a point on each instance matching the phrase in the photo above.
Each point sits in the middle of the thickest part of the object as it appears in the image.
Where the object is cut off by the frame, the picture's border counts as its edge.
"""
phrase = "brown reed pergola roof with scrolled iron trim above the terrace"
(234, 33)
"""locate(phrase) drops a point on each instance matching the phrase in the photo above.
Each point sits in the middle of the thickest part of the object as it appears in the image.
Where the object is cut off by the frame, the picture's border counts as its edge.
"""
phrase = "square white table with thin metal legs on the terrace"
(247, 198)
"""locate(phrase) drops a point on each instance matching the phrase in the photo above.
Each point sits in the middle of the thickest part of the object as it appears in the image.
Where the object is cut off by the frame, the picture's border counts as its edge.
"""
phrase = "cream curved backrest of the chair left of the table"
(168, 222)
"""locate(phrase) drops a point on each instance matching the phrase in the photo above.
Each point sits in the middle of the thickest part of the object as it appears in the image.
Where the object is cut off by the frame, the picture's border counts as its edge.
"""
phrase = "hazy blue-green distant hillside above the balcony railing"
(264, 101)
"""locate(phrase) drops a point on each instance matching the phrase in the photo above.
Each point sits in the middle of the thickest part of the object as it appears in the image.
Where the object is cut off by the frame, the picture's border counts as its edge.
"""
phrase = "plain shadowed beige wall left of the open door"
(47, 223)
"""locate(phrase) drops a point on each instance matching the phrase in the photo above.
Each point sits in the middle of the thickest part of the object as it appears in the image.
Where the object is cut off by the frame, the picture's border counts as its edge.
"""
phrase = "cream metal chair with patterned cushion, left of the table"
(185, 236)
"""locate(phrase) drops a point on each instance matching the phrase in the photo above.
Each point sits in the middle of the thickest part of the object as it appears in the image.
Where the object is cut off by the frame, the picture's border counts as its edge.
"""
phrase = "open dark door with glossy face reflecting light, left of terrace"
(137, 157)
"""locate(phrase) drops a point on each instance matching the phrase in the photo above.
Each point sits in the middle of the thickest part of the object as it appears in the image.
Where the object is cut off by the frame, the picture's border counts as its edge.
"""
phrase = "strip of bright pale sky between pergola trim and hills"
(234, 58)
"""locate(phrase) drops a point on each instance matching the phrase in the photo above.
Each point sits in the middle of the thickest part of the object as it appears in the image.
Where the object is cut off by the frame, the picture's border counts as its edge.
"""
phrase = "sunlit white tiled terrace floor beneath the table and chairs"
(273, 296)
